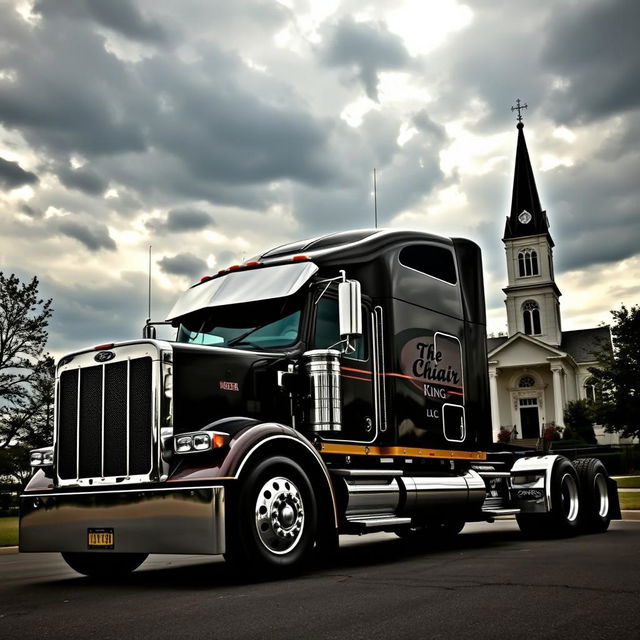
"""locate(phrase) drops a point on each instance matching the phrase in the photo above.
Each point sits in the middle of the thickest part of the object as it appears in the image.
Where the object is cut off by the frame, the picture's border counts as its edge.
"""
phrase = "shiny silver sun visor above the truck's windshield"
(238, 287)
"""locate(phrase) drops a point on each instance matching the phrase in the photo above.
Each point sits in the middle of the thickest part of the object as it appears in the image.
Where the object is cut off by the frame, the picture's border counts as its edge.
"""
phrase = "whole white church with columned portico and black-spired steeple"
(537, 368)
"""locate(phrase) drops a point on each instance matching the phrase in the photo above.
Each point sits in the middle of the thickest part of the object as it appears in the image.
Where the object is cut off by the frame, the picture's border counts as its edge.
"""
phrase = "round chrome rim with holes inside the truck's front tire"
(279, 515)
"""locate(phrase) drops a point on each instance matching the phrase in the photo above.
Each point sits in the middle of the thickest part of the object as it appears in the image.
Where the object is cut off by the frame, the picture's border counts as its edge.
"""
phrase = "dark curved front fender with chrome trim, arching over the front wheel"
(250, 441)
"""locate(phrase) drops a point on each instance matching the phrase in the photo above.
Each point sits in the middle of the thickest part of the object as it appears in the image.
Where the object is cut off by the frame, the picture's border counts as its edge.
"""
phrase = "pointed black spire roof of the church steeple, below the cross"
(525, 199)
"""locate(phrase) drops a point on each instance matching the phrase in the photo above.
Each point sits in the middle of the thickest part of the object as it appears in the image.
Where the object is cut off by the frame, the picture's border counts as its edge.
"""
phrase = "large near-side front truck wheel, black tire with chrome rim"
(272, 525)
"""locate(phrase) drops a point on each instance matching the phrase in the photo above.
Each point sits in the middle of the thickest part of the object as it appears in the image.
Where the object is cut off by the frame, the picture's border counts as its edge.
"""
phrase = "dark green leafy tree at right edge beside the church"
(617, 375)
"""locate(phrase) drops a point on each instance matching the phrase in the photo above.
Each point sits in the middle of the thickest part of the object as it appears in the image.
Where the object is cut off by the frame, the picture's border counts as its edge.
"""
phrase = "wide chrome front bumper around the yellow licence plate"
(186, 520)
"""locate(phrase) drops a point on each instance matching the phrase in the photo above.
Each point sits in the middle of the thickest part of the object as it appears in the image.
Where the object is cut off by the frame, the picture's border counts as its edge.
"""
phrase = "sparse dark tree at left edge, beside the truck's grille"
(26, 370)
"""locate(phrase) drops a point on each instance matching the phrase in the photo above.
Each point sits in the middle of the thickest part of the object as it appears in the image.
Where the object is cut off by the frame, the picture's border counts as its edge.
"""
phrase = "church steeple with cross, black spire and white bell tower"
(532, 296)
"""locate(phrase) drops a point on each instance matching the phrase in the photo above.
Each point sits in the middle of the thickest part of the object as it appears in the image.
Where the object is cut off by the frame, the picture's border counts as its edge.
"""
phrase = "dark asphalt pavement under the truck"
(489, 583)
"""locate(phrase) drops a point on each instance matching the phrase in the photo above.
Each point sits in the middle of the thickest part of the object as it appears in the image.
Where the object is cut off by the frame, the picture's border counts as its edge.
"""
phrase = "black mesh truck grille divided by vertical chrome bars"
(105, 421)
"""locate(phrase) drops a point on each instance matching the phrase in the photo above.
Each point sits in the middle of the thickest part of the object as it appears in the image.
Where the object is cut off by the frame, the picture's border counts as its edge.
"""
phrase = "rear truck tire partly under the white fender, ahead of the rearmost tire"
(563, 518)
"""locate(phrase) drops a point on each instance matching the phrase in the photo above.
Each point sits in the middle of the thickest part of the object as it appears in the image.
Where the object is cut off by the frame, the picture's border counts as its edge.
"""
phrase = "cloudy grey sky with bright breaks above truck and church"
(214, 129)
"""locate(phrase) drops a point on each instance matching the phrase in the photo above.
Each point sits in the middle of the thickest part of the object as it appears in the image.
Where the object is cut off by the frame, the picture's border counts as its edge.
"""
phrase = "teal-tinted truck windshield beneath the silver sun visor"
(247, 331)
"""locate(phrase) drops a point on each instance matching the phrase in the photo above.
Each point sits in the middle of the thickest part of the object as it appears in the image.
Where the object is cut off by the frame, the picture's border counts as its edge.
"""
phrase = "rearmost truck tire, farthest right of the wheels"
(595, 510)
